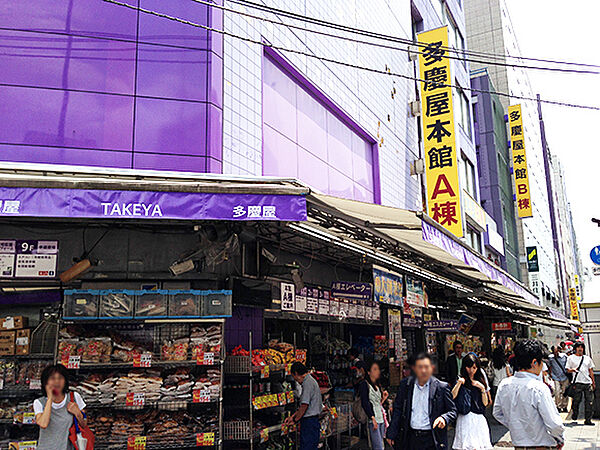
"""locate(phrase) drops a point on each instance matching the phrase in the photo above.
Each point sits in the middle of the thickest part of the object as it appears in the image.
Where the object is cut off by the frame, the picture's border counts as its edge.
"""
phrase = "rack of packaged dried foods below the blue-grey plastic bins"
(149, 383)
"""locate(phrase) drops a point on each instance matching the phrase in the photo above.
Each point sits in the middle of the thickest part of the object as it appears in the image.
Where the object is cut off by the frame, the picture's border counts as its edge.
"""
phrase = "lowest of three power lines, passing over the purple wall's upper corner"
(343, 63)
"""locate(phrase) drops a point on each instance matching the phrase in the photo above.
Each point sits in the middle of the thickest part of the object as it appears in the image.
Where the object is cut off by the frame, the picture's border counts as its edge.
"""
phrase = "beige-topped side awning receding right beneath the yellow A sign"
(410, 232)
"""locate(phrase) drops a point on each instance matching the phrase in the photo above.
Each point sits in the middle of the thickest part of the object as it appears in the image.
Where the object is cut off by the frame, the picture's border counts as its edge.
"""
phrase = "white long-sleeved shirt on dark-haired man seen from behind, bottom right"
(525, 406)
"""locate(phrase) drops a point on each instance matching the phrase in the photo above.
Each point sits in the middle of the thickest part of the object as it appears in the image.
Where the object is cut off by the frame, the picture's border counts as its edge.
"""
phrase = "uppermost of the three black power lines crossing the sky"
(396, 38)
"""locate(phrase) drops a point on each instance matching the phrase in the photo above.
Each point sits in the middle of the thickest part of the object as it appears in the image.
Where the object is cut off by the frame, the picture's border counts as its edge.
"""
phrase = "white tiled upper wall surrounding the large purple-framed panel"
(365, 96)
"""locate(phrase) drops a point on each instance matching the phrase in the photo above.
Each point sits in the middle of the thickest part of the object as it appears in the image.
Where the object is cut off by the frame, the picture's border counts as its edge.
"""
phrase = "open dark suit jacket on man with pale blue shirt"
(440, 405)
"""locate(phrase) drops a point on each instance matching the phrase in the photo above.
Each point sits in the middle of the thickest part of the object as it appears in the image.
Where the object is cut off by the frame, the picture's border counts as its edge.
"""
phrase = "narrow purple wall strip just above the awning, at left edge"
(64, 155)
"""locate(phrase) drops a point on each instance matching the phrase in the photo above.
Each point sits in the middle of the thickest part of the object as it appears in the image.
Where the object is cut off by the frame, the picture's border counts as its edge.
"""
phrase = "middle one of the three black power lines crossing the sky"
(458, 53)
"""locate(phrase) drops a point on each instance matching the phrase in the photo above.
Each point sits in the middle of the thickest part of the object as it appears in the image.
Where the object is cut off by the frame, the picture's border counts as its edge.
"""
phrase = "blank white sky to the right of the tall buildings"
(568, 31)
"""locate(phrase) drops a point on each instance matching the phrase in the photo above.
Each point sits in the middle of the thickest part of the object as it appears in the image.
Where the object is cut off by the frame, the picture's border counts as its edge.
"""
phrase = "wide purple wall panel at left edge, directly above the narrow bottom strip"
(34, 116)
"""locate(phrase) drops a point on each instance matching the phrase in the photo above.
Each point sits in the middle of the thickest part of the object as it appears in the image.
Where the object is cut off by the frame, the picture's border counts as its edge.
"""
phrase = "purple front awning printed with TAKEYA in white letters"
(143, 195)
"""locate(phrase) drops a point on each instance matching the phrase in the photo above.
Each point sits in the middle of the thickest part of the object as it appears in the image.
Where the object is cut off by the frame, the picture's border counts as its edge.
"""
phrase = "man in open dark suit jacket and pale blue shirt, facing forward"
(423, 409)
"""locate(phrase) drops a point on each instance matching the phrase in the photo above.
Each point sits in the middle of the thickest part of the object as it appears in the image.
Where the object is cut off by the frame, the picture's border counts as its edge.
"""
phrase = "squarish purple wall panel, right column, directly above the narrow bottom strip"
(170, 126)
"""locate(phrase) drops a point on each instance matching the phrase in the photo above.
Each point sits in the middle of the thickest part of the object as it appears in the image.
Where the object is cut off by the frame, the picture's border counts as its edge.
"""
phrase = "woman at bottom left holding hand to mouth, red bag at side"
(57, 411)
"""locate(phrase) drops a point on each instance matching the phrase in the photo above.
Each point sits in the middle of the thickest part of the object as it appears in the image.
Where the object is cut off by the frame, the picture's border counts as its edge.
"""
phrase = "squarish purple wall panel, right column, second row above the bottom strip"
(172, 72)
